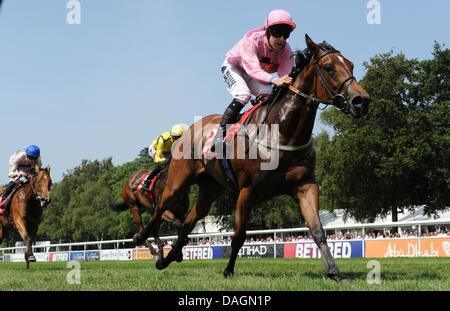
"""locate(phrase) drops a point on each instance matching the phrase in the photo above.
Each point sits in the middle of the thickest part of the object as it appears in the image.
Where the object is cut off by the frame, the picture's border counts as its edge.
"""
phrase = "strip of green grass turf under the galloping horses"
(250, 274)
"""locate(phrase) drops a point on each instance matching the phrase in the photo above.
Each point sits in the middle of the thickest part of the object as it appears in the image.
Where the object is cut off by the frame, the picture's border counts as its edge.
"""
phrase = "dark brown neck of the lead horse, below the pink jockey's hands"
(294, 115)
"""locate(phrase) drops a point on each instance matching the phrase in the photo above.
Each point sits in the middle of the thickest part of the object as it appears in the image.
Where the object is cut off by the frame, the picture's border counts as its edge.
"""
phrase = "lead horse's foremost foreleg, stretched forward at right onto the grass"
(308, 197)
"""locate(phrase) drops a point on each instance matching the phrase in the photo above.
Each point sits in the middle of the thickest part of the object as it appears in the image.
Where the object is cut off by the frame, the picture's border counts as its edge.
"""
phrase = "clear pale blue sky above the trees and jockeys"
(131, 69)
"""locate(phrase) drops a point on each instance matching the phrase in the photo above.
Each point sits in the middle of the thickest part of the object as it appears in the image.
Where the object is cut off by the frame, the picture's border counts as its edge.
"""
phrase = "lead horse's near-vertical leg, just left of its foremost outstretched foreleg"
(243, 207)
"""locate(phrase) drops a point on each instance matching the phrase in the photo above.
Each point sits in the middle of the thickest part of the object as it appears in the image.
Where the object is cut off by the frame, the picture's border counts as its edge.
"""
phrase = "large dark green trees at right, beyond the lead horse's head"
(398, 156)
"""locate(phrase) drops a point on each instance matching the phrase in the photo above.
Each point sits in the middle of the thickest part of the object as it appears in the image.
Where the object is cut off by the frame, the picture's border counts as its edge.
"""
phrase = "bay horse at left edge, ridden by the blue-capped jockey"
(26, 207)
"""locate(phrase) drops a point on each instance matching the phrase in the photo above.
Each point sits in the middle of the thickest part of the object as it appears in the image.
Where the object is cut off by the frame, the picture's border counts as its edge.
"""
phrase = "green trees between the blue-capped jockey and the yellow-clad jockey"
(79, 210)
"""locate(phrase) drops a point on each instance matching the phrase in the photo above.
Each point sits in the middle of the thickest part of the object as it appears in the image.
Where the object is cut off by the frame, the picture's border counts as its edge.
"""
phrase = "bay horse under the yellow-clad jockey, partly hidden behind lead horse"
(138, 202)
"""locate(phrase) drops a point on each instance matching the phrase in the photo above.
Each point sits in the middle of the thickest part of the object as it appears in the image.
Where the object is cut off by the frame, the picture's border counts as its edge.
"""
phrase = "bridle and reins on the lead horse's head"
(339, 100)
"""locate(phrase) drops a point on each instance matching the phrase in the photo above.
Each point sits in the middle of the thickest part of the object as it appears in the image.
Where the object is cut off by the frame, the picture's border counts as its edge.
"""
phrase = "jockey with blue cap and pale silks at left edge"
(21, 164)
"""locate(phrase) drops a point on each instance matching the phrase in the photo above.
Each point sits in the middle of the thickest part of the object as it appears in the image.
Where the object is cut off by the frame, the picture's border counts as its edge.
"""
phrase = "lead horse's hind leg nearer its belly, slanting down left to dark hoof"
(209, 190)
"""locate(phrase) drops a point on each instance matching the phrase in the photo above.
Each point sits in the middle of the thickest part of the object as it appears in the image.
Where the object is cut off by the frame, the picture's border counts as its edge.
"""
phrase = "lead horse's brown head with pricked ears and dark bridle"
(335, 83)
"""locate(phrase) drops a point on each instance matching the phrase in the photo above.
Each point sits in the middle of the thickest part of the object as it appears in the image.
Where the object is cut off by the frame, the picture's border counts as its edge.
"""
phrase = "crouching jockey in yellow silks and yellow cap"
(160, 151)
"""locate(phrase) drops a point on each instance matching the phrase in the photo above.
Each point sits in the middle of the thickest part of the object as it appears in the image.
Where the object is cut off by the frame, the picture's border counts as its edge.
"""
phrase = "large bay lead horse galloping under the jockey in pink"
(328, 79)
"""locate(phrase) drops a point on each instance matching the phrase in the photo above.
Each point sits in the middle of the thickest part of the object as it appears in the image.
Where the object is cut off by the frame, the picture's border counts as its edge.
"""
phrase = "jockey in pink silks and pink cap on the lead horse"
(261, 59)
